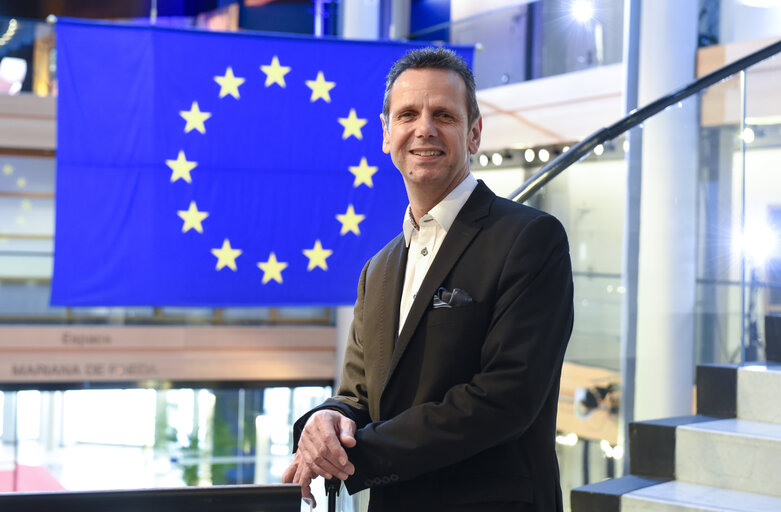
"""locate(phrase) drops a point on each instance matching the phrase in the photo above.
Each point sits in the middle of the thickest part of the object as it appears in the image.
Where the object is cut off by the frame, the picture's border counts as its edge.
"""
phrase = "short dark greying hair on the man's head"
(433, 58)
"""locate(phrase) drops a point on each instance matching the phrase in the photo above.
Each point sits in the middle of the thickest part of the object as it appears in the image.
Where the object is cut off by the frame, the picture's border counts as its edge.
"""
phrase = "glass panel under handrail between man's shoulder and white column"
(589, 200)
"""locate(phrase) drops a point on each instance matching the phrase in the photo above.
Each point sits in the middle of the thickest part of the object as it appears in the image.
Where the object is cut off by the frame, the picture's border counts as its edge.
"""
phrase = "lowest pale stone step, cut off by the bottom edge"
(685, 497)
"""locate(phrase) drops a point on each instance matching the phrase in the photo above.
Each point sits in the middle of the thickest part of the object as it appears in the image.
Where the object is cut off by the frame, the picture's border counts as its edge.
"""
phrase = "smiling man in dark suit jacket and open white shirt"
(450, 384)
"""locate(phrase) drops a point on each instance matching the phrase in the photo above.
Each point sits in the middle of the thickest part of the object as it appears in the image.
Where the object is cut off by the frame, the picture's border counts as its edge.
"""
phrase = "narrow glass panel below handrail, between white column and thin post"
(718, 321)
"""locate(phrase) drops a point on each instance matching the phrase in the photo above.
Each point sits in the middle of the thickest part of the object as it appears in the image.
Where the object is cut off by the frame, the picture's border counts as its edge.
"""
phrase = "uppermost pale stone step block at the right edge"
(758, 393)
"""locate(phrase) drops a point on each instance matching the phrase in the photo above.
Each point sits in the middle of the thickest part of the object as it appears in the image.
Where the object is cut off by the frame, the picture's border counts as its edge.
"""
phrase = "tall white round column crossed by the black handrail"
(667, 256)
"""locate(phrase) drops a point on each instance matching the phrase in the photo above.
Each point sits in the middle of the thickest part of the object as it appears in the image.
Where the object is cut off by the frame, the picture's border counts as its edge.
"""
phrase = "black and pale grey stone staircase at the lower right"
(725, 458)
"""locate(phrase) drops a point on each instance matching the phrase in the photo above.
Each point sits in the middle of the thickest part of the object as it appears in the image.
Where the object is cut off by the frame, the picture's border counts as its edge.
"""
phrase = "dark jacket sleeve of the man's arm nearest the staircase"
(520, 364)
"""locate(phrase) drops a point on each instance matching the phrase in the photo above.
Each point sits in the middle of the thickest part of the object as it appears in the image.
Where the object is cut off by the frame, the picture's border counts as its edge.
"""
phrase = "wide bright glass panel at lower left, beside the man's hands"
(144, 438)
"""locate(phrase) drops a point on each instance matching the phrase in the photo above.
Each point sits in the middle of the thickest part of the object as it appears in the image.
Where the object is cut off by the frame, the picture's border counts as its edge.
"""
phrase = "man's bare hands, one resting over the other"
(321, 450)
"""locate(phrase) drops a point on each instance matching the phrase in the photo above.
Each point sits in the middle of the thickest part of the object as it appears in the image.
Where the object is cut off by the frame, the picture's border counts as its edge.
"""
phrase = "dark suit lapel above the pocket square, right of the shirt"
(465, 226)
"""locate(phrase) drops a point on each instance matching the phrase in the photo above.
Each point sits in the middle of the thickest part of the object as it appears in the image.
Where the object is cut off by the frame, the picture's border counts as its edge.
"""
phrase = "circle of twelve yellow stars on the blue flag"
(181, 169)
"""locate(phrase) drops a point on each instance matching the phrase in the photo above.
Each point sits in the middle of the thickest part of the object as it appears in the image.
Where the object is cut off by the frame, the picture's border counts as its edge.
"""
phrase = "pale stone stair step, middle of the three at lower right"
(732, 454)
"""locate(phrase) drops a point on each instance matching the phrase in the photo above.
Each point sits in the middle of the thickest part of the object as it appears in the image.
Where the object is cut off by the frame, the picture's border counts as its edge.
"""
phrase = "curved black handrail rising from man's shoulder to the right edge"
(584, 147)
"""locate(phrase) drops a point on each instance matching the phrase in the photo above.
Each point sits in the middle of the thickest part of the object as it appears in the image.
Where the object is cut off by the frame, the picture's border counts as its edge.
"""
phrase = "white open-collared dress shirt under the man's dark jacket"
(425, 240)
